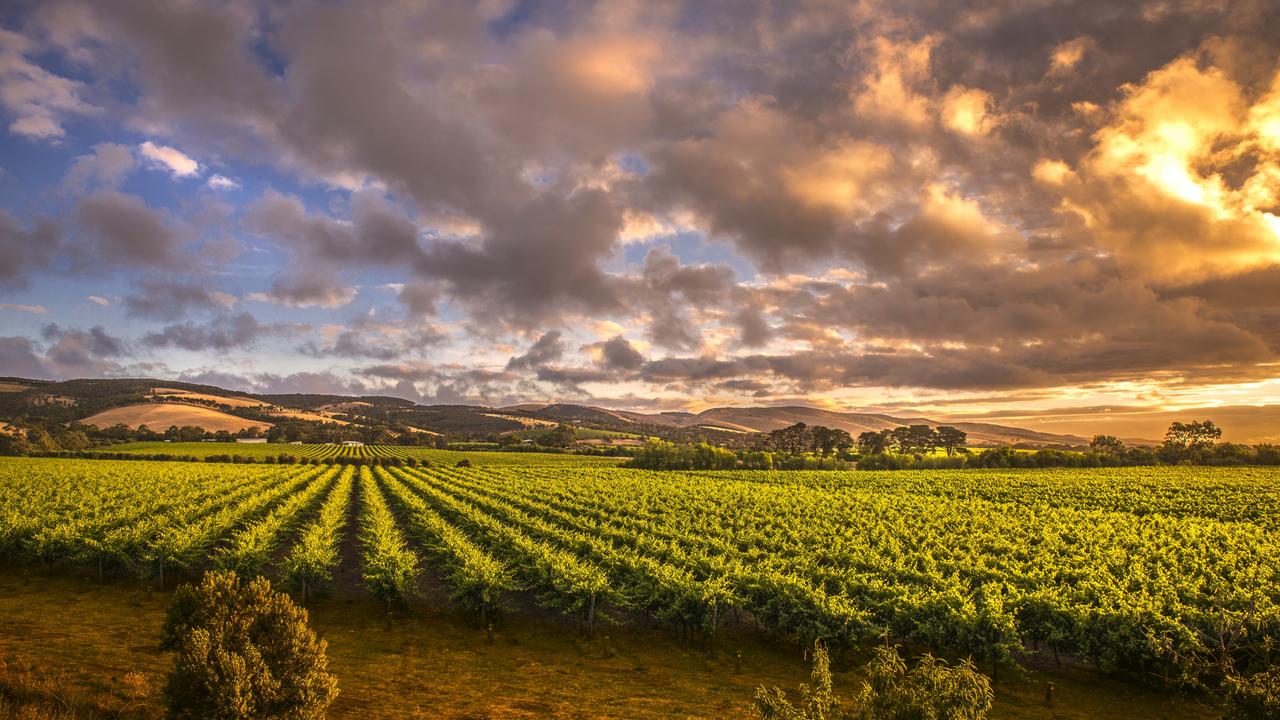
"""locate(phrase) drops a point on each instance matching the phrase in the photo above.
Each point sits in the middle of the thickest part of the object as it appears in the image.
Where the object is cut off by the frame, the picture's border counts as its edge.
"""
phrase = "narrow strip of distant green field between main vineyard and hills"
(260, 450)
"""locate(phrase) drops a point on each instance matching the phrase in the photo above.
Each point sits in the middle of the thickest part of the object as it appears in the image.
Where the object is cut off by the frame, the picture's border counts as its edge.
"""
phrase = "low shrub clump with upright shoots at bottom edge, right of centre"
(932, 690)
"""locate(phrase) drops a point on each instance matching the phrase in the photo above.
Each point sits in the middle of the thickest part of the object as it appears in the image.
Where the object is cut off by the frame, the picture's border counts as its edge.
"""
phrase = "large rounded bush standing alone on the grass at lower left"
(245, 651)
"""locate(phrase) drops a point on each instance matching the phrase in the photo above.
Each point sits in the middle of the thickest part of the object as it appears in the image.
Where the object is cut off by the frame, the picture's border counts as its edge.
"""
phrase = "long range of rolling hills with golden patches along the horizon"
(132, 399)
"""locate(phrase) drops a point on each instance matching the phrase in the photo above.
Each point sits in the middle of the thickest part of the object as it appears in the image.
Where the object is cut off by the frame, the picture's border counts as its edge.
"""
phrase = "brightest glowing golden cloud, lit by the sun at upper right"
(1185, 180)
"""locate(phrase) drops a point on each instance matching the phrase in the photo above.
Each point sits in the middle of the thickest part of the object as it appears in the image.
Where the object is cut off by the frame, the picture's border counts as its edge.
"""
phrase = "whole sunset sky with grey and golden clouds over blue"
(1063, 213)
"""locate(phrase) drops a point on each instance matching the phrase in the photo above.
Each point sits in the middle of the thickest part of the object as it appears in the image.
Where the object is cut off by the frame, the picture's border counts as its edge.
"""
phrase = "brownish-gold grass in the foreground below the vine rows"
(433, 663)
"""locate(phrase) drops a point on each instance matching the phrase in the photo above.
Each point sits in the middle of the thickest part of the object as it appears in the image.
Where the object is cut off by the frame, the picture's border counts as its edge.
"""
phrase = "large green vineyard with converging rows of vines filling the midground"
(1163, 573)
